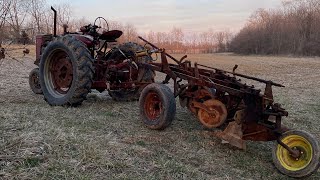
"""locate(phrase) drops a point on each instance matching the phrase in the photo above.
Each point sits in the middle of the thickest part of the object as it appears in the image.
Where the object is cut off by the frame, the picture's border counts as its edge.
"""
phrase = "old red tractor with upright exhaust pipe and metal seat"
(72, 64)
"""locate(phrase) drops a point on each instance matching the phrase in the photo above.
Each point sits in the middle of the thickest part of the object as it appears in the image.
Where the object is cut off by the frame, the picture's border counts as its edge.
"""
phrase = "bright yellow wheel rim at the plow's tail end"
(299, 143)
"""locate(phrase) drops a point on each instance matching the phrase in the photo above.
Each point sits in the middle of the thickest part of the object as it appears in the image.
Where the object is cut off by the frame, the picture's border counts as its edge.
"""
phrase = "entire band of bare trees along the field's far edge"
(293, 28)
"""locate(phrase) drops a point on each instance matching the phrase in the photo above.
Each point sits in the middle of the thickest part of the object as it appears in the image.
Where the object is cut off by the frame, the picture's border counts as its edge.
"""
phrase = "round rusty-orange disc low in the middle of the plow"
(215, 114)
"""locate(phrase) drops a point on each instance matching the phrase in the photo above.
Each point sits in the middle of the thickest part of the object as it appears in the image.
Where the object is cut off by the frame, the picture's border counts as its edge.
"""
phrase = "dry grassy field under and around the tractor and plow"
(103, 139)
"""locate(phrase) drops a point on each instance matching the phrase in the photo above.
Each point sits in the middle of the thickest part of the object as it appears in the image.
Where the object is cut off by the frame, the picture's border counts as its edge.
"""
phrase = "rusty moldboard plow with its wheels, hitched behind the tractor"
(220, 100)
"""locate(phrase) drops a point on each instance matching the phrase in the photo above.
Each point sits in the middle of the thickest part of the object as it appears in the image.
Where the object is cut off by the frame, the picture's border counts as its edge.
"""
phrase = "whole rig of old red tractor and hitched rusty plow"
(72, 64)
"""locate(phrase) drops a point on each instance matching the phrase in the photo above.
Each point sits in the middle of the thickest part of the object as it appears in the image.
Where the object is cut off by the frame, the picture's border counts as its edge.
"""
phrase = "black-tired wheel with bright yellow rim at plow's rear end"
(300, 167)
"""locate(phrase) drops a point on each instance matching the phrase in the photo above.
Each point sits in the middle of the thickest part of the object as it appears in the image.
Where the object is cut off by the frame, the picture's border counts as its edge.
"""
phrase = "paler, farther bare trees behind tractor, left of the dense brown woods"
(22, 20)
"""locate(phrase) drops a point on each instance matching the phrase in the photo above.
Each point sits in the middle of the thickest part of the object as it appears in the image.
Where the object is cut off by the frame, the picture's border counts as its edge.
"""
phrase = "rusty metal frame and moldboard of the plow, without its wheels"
(250, 117)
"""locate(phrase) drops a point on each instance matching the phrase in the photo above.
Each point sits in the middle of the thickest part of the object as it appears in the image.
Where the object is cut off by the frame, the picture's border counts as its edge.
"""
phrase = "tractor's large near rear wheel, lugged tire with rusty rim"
(66, 72)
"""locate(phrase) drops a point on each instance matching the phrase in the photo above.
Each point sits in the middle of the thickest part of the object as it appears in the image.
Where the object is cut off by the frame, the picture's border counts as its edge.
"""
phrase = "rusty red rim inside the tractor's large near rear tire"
(58, 73)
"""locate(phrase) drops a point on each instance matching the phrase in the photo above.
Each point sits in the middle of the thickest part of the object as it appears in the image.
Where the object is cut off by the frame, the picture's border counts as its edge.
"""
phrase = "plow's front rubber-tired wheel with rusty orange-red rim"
(157, 106)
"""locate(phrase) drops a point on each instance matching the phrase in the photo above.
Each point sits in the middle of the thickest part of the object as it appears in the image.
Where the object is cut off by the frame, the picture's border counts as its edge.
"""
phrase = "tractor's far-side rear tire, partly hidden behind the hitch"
(147, 75)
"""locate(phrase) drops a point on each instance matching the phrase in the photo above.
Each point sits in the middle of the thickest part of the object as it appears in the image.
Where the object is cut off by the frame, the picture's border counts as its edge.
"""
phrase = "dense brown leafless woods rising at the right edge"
(292, 29)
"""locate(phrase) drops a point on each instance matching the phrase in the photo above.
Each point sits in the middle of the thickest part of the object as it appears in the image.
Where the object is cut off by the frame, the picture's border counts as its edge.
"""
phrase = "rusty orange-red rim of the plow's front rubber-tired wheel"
(153, 106)
